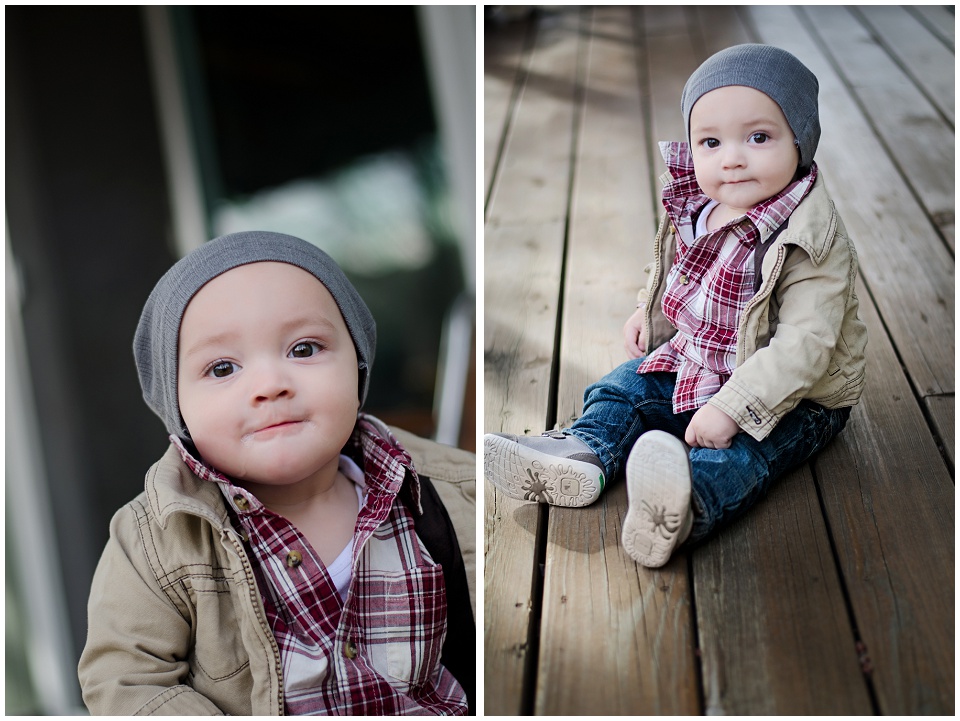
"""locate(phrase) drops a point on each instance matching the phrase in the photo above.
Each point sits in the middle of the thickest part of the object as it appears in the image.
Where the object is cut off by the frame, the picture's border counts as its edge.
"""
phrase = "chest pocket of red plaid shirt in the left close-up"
(406, 624)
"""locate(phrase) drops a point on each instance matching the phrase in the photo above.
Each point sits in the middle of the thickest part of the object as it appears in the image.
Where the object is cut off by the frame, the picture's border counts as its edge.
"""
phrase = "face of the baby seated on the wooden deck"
(742, 145)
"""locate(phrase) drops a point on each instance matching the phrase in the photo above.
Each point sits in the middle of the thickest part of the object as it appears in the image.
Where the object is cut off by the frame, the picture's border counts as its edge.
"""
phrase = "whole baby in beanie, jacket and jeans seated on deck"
(746, 348)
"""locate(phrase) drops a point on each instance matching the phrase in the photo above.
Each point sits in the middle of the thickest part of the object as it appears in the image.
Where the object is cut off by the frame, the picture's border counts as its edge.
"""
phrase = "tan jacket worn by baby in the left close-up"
(173, 558)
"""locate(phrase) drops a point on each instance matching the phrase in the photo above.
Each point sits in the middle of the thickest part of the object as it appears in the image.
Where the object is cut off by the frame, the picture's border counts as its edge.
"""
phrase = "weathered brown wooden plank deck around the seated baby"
(835, 595)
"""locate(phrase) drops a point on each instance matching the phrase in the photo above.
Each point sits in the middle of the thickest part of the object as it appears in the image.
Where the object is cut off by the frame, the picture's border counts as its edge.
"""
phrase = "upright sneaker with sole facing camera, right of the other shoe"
(659, 517)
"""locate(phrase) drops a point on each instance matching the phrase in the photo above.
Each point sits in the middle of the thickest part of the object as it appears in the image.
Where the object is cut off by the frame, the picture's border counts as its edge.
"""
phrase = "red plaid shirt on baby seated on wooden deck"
(710, 281)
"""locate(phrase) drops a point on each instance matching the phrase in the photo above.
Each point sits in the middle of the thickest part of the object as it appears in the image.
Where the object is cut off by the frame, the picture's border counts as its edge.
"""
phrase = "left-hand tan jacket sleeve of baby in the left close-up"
(138, 641)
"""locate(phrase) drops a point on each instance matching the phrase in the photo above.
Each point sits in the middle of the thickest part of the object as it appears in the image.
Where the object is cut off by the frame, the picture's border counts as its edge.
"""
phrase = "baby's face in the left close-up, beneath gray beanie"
(268, 377)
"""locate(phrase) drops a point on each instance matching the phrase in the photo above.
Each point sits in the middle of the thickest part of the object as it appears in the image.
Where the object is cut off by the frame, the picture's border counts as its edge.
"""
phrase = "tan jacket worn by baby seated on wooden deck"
(800, 336)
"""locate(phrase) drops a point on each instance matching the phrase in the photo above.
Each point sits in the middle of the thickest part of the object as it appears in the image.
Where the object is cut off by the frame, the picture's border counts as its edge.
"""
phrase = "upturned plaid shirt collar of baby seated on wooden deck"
(683, 199)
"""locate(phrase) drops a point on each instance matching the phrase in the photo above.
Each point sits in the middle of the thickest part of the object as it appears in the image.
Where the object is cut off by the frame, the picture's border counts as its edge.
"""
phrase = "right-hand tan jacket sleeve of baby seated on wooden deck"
(812, 297)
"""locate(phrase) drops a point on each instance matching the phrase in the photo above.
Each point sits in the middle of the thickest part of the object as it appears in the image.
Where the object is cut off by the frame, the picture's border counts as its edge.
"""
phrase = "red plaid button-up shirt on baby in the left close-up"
(378, 651)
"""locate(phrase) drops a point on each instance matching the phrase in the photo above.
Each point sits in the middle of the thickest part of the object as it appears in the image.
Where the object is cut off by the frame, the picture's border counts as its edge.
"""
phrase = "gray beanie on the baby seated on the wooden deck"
(772, 71)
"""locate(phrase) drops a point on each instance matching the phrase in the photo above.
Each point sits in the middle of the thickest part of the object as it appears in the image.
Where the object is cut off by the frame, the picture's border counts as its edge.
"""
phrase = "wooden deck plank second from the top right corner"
(928, 61)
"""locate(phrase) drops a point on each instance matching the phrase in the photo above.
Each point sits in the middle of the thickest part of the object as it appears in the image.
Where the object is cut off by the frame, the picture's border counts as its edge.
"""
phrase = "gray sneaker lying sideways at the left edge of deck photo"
(554, 468)
